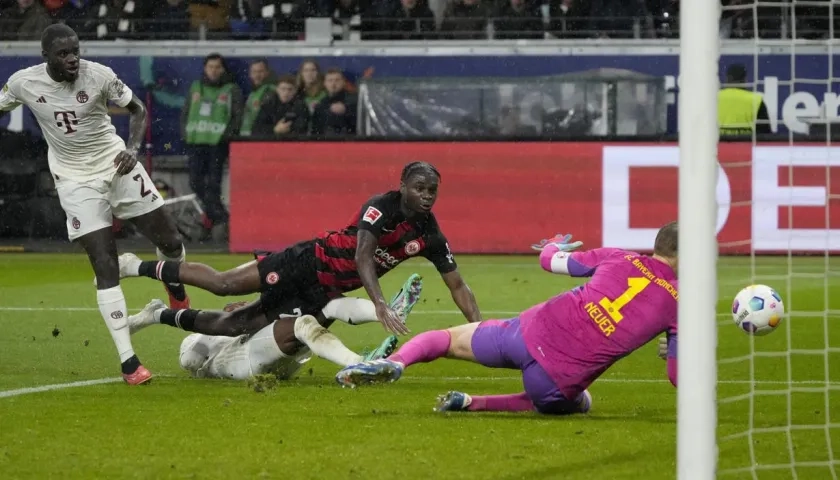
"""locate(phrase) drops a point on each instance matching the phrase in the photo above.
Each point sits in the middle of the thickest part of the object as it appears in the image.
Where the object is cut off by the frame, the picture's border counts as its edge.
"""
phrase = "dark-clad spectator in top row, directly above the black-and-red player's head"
(402, 20)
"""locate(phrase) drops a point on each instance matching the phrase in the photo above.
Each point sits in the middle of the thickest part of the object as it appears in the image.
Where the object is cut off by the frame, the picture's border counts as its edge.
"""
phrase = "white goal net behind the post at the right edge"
(778, 396)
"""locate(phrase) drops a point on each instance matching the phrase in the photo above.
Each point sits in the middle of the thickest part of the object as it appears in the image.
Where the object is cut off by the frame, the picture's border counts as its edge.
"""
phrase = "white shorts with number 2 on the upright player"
(91, 205)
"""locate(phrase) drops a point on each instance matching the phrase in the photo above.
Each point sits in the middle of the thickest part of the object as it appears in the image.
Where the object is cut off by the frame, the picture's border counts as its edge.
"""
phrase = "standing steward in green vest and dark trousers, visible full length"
(211, 115)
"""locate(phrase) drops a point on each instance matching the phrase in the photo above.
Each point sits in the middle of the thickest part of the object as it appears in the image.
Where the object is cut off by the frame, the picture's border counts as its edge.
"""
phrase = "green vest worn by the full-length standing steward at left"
(209, 113)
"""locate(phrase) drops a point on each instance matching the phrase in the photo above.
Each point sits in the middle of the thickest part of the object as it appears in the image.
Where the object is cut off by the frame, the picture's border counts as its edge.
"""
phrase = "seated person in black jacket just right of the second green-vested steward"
(283, 114)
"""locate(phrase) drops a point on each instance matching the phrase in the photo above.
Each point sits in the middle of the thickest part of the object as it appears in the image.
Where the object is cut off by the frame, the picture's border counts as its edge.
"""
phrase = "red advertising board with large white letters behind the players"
(499, 197)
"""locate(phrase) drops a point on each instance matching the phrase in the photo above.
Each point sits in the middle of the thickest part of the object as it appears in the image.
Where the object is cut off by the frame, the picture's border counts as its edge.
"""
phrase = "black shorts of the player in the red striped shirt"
(289, 282)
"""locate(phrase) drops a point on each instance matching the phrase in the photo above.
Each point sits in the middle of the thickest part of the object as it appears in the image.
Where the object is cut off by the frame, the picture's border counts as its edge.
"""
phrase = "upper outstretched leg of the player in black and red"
(241, 280)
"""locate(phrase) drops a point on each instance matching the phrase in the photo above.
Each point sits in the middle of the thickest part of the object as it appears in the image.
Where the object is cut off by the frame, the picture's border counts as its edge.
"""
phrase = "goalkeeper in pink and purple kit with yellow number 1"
(563, 345)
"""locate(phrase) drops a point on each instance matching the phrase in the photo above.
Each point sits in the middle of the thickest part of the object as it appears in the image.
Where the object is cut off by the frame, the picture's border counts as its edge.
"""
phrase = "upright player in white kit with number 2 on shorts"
(96, 174)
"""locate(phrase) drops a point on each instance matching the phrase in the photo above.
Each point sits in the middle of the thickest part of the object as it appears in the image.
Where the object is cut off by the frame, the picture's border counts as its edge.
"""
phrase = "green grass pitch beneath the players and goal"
(309, 428)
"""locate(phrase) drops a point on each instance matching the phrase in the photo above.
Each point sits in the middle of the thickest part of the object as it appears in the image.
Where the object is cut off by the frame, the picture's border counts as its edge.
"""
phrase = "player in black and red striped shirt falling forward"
(387, 230)
